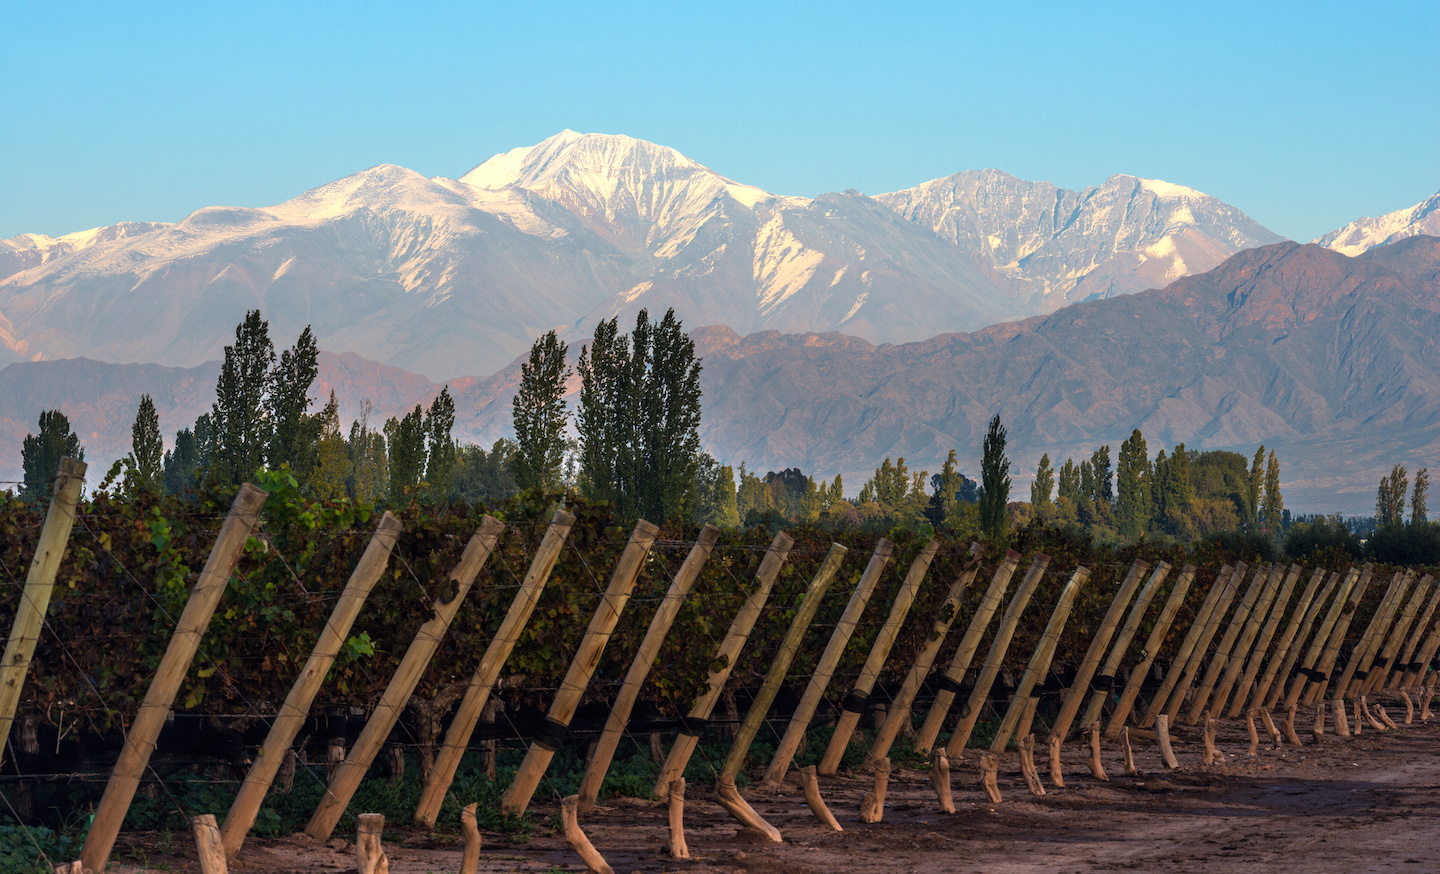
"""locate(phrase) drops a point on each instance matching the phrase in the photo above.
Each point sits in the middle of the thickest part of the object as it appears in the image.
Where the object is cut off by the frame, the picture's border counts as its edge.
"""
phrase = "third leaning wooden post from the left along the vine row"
(296, 709)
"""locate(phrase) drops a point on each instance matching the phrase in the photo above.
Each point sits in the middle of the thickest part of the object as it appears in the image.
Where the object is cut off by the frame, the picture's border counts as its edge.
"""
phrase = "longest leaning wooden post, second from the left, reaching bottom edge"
(140, 741)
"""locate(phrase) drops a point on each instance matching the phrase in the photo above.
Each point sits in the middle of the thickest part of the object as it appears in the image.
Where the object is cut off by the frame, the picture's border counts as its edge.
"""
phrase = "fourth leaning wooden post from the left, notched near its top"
(402, 685)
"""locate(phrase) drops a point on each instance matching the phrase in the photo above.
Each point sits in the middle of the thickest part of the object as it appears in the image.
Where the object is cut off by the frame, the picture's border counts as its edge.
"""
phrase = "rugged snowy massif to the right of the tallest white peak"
(1062, 247)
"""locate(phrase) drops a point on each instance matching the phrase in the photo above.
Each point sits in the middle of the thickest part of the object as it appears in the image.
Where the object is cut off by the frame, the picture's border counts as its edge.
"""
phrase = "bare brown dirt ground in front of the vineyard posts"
(1359, 804)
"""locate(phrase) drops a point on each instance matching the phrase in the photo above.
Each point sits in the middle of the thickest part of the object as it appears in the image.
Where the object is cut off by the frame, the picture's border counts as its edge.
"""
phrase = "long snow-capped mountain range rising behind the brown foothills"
(447, 277)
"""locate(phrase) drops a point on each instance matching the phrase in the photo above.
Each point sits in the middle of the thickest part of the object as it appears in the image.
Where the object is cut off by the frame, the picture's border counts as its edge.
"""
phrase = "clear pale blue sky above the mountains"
(1304, 116)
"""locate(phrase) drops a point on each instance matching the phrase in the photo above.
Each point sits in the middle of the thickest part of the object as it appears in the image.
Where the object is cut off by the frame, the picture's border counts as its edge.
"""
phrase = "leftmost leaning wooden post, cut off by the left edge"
(40, 585)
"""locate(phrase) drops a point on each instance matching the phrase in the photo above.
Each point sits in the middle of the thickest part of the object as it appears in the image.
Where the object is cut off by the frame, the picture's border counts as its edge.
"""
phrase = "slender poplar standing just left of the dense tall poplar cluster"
(541, 415)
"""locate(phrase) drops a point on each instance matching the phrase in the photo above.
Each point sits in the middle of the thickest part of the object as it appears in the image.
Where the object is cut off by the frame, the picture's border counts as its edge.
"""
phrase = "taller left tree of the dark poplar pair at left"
(240, 417)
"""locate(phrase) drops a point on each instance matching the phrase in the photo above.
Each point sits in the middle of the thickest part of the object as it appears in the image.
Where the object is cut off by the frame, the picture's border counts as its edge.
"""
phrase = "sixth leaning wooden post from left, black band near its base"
(582, 667)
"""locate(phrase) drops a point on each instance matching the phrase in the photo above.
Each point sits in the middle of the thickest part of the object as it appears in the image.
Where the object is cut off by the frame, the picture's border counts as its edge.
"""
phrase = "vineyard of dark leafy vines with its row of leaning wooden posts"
(428, 660)
